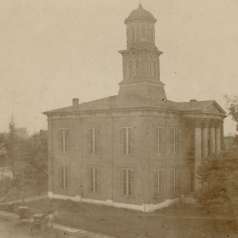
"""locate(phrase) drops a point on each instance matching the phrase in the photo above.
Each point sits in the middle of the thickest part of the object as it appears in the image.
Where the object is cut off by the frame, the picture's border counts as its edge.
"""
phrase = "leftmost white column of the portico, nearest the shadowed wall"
(198, 154)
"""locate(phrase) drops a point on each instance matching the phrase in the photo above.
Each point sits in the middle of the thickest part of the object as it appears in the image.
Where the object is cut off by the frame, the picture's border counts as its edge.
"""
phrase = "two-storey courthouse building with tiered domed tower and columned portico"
(136, 149)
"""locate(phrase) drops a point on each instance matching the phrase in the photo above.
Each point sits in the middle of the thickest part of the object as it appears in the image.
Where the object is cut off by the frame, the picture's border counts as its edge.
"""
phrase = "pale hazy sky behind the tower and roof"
(54, 50)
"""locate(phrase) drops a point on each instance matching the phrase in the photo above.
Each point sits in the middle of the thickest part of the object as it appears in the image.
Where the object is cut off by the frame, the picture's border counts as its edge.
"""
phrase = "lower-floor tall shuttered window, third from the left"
(127, 181)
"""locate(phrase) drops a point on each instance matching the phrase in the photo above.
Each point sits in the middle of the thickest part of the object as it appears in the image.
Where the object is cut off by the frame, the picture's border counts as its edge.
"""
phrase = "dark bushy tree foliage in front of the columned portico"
(219, 184)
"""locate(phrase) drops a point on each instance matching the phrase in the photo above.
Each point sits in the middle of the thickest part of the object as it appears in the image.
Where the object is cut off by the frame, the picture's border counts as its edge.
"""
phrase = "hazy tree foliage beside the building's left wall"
(27, 157)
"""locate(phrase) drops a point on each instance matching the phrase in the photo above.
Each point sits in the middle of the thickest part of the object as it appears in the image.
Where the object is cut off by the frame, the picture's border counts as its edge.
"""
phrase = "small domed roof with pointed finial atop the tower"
(140, 14)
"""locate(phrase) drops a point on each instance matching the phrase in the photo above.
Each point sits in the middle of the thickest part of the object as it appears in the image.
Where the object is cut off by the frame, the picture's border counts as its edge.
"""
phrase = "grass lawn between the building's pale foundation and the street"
(173, 222)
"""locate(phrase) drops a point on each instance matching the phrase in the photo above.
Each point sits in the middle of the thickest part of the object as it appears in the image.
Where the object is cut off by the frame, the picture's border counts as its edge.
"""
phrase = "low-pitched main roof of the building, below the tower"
(112, 102)
